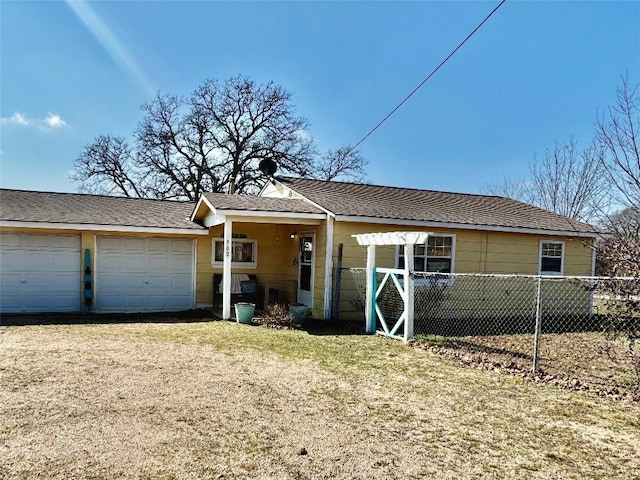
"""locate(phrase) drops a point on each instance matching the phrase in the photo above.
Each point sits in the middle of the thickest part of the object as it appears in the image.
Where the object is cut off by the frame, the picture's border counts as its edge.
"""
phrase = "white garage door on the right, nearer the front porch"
(137, 274)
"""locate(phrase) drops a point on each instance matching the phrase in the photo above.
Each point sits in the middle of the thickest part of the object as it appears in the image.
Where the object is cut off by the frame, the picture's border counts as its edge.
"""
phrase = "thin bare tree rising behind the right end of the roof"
(564, 180)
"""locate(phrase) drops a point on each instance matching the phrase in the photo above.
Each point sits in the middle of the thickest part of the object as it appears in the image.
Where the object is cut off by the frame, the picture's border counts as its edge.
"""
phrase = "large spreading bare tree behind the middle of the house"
(211, 141)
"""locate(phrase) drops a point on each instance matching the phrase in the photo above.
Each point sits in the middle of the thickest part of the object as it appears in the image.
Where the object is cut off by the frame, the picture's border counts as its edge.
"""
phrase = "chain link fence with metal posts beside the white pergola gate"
(586, 329)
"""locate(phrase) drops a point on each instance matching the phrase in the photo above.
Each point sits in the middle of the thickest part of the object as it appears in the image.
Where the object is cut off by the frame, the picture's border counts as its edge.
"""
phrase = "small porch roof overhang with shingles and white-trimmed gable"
(214, 209)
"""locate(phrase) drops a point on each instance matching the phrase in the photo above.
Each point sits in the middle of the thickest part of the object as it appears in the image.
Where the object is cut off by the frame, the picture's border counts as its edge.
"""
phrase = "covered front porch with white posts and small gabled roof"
(271, 251)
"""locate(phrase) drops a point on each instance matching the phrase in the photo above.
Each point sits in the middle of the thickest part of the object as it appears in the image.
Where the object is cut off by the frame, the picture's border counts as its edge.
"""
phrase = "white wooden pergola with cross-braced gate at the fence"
(371, 240)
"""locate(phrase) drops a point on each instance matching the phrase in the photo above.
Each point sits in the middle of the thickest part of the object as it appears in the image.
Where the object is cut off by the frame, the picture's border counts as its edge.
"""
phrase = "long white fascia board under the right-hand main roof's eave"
(464, 226)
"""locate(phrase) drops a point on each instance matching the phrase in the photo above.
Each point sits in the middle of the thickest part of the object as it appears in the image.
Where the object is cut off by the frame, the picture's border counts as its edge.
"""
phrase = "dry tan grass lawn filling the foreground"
(221, 400)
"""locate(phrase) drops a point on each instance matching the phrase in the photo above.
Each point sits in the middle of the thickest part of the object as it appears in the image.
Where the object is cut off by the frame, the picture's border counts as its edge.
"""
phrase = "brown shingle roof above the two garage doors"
(75, 208)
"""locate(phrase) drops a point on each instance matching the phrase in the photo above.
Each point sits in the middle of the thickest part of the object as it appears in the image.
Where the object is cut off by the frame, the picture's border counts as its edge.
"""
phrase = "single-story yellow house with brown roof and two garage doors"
(153, 255)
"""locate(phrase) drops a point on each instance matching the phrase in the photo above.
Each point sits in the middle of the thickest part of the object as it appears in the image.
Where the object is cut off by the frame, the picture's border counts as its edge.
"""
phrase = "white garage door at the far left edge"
(40, 273)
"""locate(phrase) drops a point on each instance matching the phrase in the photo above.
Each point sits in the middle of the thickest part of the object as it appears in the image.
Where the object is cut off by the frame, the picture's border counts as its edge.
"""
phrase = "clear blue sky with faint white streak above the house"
(535, 73)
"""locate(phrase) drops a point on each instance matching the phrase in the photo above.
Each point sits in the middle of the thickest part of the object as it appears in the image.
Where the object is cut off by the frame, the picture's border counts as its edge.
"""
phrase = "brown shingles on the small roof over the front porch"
(223, 201)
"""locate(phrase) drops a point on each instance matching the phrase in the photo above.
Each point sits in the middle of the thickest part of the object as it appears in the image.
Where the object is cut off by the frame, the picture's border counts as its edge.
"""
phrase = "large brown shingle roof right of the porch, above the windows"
(353, 199)
